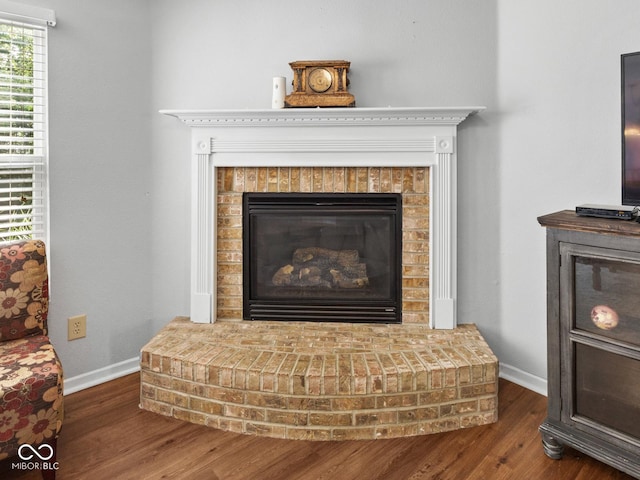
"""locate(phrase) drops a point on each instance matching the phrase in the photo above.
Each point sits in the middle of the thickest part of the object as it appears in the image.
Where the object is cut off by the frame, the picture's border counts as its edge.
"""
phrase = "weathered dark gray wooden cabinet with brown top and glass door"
(593, 331)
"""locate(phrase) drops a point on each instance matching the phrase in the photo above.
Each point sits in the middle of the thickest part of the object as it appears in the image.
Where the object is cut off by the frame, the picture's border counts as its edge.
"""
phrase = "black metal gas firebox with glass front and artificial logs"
(332, 257)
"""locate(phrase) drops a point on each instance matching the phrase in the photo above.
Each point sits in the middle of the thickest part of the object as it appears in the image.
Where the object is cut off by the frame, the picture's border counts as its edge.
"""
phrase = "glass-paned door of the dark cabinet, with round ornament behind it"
(601, 344)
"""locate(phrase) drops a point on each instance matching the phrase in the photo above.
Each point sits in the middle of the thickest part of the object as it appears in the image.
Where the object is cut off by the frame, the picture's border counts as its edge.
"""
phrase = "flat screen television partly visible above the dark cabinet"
(630, 76)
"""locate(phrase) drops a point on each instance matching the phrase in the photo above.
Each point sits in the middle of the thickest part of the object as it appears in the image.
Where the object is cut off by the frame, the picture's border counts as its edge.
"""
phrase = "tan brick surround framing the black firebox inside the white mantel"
(411, 182)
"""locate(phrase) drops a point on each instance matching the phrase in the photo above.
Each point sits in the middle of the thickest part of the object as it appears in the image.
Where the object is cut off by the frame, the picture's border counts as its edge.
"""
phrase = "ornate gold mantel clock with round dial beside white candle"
(320, 83)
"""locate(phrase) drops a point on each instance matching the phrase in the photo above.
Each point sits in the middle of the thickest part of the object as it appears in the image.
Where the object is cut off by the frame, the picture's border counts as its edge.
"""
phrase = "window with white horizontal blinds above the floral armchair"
(23, 128)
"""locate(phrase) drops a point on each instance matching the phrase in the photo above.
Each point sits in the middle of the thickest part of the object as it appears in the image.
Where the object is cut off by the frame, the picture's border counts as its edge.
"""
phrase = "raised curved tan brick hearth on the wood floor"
(320, 381)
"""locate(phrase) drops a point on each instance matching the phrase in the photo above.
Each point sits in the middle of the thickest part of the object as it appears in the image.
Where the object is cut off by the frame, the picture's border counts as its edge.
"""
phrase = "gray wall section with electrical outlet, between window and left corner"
(100, 188)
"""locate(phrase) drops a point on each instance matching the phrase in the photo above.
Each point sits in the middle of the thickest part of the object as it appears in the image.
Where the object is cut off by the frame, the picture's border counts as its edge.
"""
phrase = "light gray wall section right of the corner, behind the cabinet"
(558, 145)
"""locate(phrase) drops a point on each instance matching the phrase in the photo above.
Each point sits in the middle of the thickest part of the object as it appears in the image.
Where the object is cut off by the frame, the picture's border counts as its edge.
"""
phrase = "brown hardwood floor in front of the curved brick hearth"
(106, 436)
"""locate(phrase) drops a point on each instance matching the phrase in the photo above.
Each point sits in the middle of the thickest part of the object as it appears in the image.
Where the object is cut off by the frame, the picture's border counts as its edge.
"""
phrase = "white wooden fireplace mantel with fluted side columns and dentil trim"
(328, 137)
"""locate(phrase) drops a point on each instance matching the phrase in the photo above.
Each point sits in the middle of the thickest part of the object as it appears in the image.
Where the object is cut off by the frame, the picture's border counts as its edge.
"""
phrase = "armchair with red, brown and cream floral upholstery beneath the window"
(31, 399)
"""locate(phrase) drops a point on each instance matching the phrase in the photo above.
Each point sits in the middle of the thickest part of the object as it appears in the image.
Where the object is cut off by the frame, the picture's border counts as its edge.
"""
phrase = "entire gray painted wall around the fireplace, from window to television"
(548, 73)
